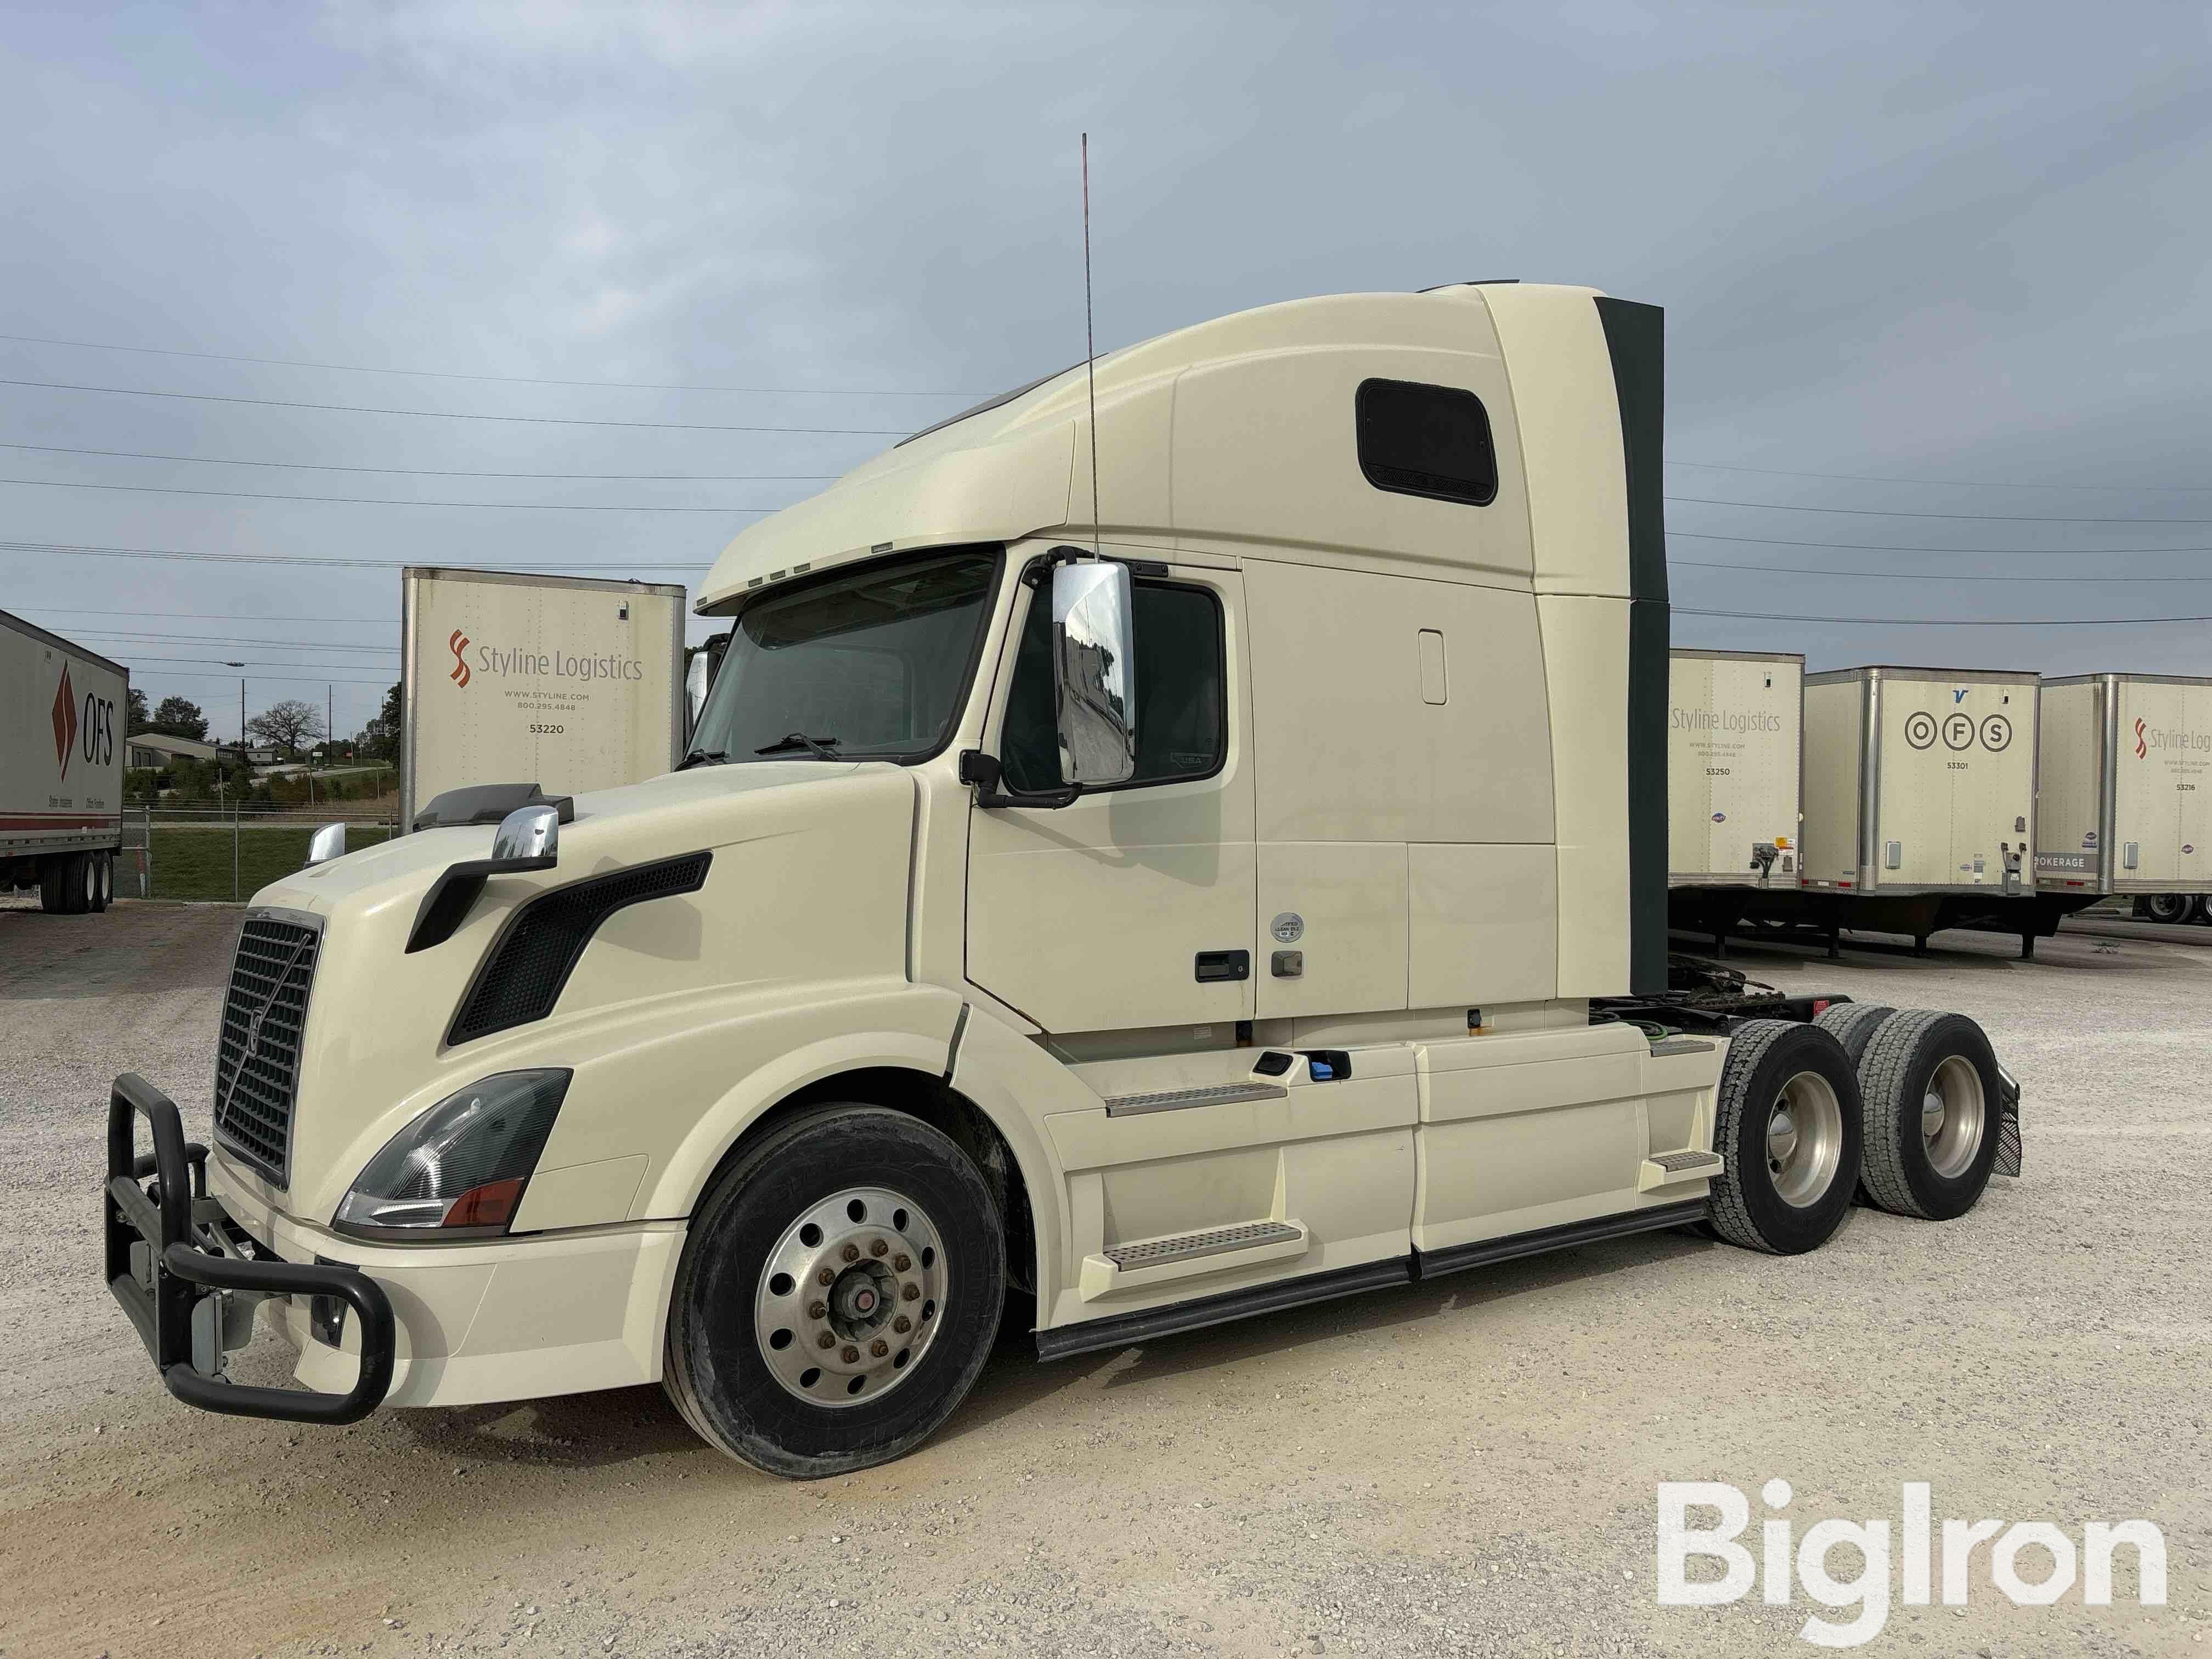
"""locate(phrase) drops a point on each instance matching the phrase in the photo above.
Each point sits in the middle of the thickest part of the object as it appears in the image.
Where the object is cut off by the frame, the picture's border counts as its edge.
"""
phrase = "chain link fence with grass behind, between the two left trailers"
(231, 853)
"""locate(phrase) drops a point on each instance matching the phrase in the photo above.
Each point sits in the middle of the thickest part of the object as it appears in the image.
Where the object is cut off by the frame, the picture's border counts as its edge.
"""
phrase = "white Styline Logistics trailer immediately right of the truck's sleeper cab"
(1735, 769)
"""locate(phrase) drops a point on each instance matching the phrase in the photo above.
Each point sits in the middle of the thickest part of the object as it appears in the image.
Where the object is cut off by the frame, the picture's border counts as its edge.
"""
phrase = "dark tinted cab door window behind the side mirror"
(1182, 729)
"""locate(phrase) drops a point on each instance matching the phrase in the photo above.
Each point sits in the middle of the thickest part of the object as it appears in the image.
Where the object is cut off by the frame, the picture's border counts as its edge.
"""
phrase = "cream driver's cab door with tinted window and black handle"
(1134, 906)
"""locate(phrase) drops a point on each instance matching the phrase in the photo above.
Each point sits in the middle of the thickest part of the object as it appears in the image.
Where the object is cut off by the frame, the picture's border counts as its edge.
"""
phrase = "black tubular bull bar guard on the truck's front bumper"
(185, 1273)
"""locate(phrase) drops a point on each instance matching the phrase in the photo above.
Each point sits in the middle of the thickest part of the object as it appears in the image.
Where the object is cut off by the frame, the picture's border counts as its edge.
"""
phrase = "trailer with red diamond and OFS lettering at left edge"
(61, 766)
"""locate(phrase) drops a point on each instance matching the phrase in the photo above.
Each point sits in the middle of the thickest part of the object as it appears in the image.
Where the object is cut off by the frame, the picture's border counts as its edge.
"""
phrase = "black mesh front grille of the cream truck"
(258, 1052)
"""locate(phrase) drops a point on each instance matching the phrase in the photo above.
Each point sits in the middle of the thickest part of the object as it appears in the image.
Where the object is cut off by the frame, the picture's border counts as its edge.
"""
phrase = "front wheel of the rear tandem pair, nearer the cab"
(1788, 1127)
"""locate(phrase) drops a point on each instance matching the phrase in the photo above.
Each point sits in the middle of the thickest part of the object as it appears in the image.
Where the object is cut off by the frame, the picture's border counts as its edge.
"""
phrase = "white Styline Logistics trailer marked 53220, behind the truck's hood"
(570, 682)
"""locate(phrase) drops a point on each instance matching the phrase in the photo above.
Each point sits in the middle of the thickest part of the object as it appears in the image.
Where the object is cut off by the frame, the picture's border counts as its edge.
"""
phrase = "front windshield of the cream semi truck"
(855, 665)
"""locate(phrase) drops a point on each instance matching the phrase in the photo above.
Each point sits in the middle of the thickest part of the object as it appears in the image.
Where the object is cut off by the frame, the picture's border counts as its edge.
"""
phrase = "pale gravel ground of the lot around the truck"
(1454, 1468)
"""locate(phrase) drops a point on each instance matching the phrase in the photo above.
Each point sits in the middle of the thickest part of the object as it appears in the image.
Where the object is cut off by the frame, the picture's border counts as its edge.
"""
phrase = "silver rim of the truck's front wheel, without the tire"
(851, 1297)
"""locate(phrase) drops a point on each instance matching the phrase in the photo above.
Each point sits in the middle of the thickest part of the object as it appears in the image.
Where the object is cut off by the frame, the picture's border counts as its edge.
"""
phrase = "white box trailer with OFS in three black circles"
(1919, 782)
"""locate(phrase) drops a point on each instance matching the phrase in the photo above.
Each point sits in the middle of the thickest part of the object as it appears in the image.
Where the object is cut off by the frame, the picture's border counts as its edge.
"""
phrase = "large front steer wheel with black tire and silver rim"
(747, 1357)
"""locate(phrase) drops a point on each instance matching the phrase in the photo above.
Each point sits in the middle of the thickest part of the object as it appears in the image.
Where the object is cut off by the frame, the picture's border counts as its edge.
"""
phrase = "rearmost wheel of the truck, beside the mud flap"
(1932, 1116)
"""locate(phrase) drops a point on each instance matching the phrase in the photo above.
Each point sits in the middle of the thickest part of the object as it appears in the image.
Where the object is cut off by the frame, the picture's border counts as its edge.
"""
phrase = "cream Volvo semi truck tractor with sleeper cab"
(1165, 893)
